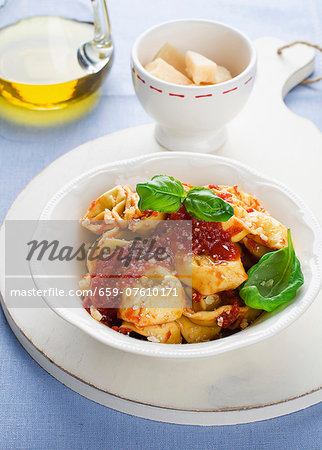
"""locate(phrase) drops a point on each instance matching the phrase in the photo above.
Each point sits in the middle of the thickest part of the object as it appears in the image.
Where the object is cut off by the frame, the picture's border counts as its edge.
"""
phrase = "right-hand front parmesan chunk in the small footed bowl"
(200, 69)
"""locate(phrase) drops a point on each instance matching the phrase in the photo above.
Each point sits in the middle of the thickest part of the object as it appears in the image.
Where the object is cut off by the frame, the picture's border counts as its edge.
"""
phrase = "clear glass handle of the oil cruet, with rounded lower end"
(97, 53)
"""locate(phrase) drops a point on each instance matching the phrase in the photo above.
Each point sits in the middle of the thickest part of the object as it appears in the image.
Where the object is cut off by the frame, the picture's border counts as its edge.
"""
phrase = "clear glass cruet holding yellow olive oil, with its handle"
(53, 53)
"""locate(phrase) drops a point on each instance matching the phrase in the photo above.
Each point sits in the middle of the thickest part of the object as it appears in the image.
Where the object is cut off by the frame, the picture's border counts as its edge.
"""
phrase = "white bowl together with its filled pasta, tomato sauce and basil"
(227, 311)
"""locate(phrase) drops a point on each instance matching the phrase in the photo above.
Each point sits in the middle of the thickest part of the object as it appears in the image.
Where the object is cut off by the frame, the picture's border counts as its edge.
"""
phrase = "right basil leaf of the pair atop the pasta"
(202, 203)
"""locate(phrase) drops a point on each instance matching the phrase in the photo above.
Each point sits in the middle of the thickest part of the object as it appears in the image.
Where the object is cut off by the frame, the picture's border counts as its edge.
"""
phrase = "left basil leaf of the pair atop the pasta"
(162, 193)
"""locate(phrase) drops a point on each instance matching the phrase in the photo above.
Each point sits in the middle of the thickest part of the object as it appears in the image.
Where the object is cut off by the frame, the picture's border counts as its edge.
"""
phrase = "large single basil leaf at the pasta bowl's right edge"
(274, 280)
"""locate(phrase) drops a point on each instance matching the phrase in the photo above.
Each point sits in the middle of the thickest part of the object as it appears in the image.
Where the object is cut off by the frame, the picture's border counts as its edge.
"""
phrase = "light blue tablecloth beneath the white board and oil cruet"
(38, 412)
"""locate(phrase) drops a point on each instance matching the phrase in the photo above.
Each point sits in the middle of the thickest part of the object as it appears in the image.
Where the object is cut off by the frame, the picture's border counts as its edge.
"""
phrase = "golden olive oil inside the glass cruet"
(39, 67)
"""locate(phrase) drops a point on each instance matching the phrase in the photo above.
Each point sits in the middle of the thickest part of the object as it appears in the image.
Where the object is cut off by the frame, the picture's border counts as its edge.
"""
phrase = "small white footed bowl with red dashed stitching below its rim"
(192, 118)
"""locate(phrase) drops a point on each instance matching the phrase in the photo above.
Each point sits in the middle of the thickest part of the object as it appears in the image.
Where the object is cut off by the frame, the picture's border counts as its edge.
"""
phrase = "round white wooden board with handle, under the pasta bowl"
(241, 386)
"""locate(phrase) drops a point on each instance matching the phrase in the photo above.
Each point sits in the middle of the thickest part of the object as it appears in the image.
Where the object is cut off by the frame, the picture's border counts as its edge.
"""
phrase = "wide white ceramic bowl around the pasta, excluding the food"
(71, 202)
